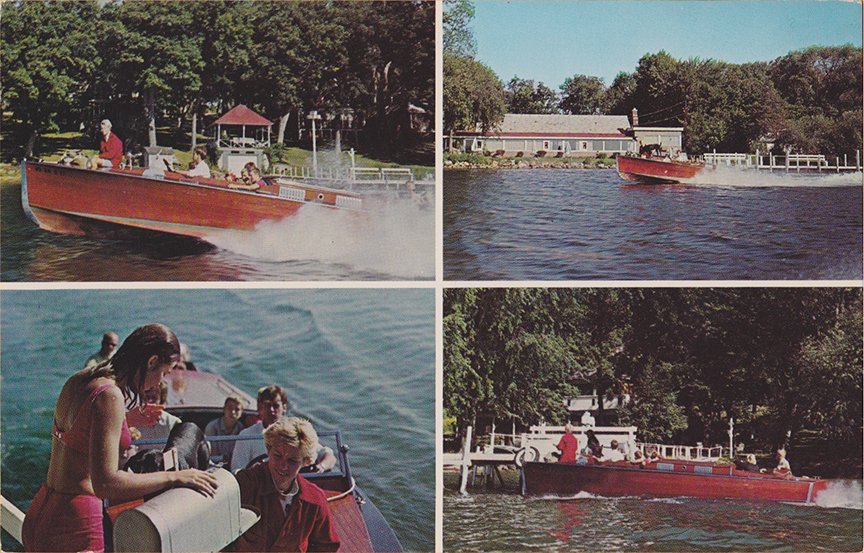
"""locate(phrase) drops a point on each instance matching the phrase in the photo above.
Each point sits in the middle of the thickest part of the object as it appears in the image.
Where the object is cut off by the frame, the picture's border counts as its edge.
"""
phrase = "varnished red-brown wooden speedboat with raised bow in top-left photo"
(74, 200)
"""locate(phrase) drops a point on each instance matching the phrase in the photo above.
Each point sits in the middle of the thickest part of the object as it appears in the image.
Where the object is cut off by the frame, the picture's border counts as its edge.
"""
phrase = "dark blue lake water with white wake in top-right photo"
(568, 224)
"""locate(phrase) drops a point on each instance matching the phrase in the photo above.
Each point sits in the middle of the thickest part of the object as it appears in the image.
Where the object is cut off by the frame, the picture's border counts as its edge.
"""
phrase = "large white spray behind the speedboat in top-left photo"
(396, 239)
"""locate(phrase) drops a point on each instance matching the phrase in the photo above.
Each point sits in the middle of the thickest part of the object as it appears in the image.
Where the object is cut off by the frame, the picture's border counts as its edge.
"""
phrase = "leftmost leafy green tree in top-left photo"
(48, 63)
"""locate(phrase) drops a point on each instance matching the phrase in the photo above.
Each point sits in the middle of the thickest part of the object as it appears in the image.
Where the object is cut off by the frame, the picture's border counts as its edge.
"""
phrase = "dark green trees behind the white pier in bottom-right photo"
(781, 362)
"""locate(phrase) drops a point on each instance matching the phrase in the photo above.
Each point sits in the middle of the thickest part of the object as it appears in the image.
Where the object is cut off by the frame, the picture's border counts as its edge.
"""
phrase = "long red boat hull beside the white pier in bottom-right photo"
(666, 479)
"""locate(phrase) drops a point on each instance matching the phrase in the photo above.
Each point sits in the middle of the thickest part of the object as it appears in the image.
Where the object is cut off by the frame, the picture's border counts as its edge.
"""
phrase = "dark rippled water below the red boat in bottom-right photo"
(485, 520)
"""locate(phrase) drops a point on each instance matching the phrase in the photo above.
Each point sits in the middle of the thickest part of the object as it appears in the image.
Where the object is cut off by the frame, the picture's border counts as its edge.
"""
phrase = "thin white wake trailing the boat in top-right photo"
(741, 177)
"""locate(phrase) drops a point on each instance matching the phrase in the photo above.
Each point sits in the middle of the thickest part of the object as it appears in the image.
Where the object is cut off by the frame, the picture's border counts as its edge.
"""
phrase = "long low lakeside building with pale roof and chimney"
(556, 135)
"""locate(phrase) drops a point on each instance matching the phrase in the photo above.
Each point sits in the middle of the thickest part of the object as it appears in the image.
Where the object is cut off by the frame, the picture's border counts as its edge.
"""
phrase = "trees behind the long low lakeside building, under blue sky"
(808, 101)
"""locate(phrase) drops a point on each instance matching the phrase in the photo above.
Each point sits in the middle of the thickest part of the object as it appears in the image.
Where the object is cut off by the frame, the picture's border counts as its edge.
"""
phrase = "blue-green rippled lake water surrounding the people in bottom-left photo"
(357, 360)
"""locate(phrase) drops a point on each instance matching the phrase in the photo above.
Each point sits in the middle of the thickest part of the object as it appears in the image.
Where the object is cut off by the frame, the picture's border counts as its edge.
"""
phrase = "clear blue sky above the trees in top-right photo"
(548, 41)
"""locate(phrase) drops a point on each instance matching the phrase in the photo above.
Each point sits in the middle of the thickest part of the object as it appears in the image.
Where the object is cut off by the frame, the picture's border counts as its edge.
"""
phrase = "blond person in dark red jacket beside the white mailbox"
(294, 512)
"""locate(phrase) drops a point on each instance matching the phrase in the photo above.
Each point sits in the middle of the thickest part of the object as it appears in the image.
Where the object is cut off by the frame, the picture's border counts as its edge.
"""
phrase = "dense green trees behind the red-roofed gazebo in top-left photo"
(169, 62)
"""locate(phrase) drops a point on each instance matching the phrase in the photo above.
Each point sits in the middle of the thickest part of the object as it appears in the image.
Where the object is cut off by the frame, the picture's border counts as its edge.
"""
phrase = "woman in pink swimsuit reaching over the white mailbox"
(89, 434)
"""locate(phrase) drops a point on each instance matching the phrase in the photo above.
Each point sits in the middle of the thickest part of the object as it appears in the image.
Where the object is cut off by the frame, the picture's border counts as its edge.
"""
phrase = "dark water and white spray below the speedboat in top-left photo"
(395, 240)
